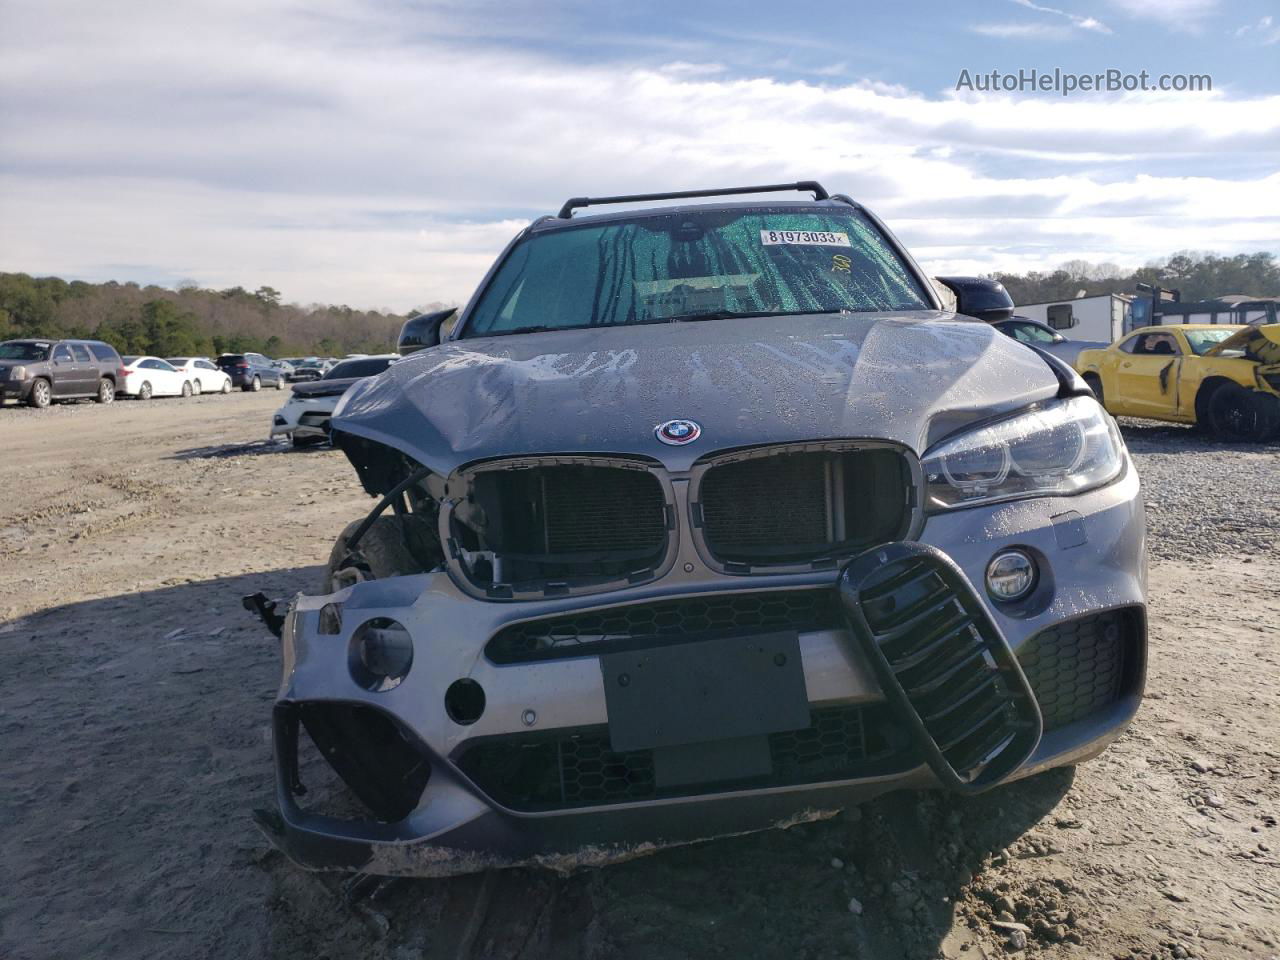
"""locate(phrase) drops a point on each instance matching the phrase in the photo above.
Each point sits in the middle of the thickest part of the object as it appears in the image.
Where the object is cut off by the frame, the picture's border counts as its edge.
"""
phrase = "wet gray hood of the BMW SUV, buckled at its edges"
(911, 378)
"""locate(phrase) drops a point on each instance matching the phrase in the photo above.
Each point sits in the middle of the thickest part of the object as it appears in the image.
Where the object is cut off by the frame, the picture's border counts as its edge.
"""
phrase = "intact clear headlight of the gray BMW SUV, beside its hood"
(1062, 449)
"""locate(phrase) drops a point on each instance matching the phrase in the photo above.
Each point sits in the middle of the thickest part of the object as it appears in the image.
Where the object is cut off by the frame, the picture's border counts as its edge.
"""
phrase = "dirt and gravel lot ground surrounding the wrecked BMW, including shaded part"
(134, 746)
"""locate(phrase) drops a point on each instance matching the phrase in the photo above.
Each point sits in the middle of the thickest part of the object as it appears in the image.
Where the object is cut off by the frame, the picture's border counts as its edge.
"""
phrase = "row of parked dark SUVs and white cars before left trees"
(40, 372)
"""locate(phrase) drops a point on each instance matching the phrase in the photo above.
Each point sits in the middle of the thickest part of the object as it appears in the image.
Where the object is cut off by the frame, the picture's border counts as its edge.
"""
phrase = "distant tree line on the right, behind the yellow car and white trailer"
(1195, 276)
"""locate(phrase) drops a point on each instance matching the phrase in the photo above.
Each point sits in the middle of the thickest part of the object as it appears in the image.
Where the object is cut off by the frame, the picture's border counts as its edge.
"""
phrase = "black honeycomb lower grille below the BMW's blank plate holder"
(578, 769)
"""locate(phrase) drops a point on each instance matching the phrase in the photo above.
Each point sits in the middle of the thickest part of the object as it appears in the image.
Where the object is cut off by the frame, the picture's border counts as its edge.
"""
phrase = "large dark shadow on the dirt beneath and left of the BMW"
(135, 748)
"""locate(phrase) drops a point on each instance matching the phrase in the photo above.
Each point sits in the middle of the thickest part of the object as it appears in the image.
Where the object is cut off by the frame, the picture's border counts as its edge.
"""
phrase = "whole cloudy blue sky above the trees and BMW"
(382, 153)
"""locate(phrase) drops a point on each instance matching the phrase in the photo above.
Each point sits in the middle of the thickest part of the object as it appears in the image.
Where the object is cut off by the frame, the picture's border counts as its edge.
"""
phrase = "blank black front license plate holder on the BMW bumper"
(692, 693)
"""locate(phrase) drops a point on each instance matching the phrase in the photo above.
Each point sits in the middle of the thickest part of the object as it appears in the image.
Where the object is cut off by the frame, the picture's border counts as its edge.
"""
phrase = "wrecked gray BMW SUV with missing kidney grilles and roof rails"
(703, 519)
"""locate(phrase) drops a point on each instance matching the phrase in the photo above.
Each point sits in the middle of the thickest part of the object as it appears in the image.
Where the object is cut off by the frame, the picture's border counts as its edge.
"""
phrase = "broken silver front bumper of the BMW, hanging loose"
(556, 770)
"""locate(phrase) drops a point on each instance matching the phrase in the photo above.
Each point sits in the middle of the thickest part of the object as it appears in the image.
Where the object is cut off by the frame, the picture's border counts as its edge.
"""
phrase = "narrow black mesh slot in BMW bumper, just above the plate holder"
(602, 632)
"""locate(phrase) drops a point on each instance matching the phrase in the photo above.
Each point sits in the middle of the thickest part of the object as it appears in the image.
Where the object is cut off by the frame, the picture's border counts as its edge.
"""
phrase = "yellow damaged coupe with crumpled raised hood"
(1224, 378)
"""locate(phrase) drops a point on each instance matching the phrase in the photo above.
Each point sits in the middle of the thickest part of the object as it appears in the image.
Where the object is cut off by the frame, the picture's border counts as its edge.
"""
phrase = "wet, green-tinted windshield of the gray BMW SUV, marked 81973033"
(696, 266)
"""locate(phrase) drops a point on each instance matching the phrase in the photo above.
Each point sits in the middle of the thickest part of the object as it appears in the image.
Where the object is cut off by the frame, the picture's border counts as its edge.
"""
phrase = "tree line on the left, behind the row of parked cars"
(190, 321)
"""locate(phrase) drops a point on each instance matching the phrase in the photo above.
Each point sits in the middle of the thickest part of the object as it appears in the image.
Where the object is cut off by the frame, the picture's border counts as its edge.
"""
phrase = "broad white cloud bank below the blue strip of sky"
(335, 161)
